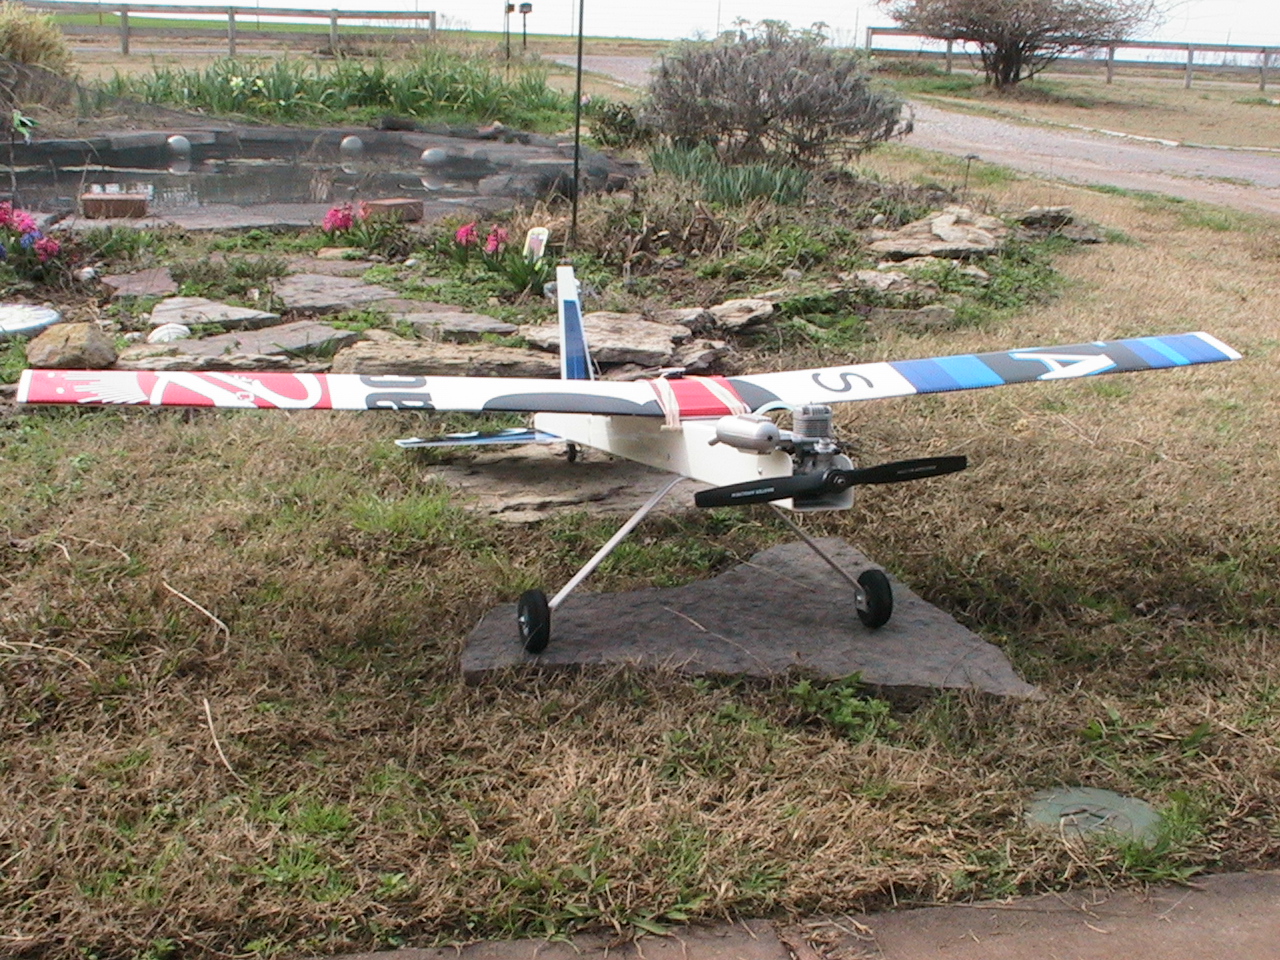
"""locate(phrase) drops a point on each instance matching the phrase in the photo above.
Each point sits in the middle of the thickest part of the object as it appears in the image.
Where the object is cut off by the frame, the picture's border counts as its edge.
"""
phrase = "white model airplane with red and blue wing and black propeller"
(711, 429)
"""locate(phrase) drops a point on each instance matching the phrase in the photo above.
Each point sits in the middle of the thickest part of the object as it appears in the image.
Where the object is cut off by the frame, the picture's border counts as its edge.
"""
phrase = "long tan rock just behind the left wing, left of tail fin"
(420, 359)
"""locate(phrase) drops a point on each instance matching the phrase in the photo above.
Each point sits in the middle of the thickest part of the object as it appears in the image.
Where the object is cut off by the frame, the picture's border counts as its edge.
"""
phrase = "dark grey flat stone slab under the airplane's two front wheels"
(784, 610)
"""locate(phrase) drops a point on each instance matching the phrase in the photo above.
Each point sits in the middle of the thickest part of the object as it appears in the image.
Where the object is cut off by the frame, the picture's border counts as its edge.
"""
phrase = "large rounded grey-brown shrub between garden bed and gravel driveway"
(772, 93)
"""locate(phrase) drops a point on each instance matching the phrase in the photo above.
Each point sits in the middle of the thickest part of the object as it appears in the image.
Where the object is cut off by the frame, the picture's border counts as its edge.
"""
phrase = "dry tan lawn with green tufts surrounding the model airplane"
(345, 790)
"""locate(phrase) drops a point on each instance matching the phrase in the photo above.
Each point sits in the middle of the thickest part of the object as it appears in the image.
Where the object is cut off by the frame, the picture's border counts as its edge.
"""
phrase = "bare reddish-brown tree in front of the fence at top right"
(1018, 39)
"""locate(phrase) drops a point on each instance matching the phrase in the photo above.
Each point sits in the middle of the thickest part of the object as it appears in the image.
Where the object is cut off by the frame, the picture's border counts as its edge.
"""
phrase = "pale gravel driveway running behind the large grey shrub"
(1245, 180)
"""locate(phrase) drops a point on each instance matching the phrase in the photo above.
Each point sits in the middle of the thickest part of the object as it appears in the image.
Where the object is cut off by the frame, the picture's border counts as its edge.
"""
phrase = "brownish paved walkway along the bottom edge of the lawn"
(1229, 917)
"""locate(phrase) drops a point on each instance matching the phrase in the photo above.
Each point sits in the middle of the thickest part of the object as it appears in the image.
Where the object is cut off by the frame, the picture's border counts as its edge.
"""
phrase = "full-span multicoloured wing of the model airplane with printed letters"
(680, 399)
